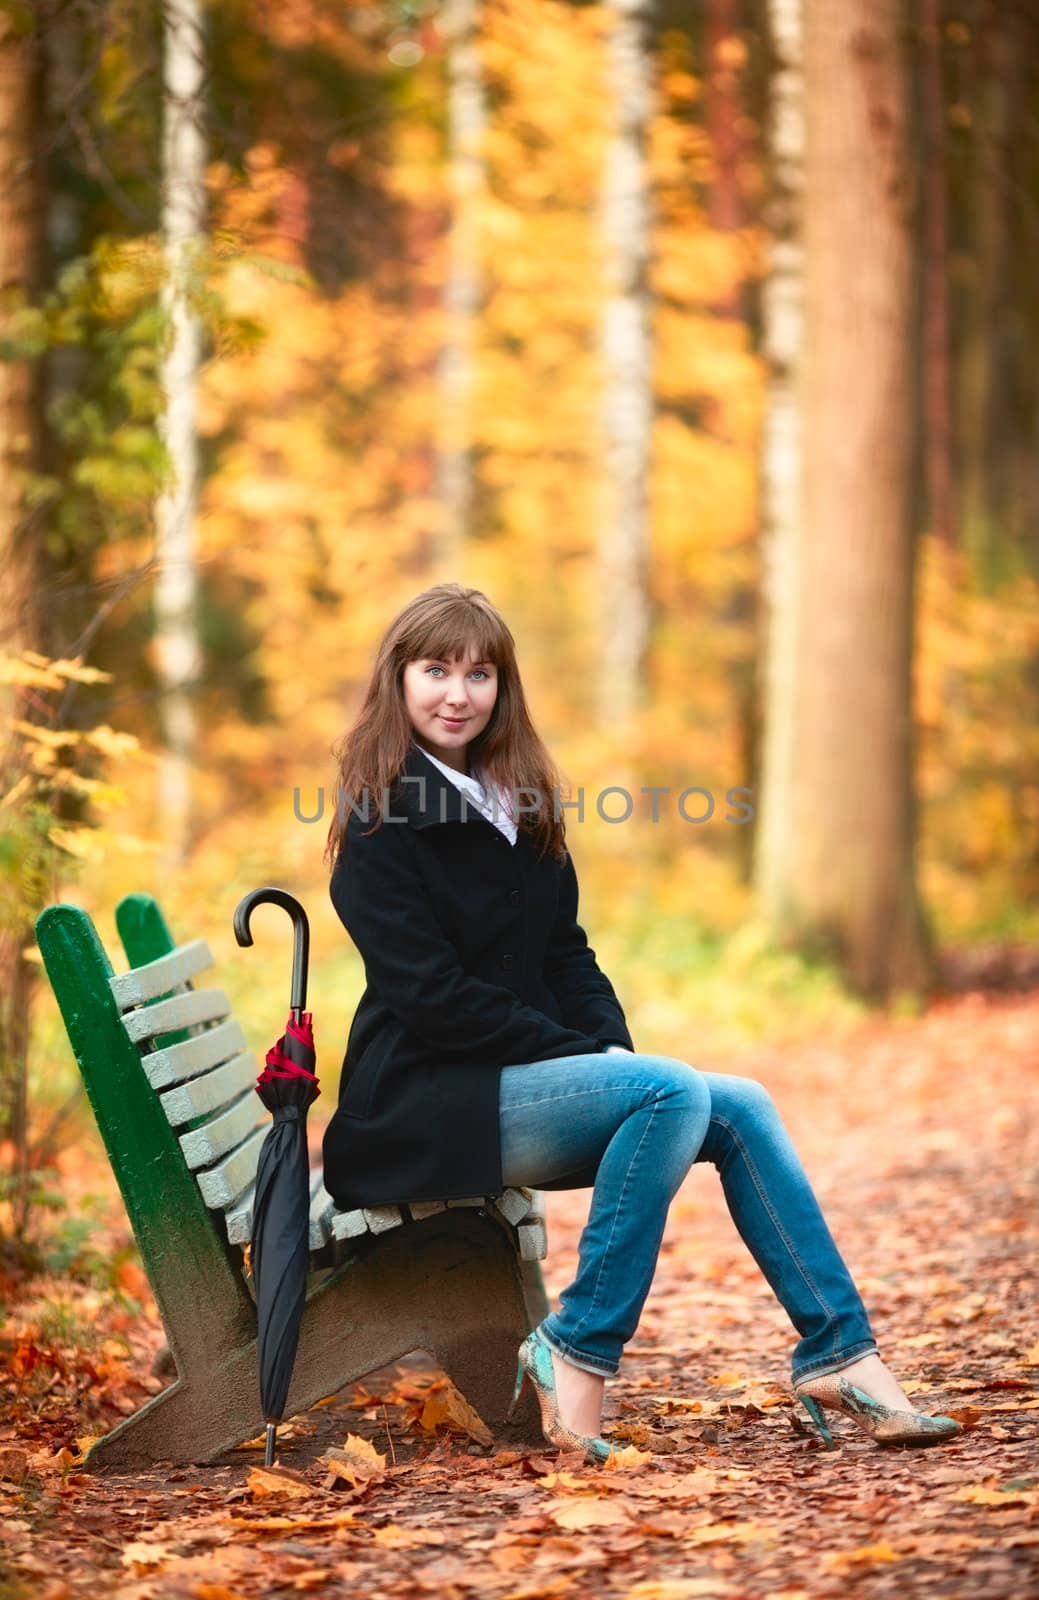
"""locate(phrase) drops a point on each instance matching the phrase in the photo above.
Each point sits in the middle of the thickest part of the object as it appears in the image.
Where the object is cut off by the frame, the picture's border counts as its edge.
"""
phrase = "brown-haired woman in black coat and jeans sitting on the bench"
(489, 1050)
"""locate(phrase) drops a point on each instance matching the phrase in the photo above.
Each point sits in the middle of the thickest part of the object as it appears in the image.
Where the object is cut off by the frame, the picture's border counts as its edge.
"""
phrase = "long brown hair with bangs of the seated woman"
(441, 625)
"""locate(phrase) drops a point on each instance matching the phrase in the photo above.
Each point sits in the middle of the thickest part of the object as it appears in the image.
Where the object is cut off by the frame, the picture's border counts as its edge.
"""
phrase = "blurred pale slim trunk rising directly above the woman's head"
(462, 289)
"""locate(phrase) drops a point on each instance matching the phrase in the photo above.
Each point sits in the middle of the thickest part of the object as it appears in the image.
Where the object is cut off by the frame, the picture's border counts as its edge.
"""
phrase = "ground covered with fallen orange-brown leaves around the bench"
(923, 1140)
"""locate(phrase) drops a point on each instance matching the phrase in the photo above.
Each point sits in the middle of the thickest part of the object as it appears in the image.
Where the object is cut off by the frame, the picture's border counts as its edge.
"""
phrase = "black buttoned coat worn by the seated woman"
(475, 961)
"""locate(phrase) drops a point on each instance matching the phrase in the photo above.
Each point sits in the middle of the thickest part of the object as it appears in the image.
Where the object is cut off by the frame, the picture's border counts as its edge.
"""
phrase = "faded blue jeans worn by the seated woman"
(630, 1127)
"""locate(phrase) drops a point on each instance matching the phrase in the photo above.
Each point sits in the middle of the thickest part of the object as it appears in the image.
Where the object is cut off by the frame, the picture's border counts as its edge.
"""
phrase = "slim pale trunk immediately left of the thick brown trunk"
(784, 348)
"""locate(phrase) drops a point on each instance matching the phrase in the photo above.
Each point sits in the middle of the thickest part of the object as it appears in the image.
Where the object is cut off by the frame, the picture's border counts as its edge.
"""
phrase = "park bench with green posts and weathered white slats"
(170, 1081)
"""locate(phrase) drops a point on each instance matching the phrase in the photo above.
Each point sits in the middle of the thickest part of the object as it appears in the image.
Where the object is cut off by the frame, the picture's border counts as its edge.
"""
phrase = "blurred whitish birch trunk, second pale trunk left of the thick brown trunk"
(624, 617)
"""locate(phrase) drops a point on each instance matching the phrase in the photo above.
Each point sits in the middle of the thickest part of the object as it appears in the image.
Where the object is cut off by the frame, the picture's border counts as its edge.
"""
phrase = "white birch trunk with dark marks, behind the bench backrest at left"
(177, 631)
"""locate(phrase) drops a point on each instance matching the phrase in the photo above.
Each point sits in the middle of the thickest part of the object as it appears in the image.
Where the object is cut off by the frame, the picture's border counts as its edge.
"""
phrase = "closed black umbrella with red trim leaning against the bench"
(283, 1201)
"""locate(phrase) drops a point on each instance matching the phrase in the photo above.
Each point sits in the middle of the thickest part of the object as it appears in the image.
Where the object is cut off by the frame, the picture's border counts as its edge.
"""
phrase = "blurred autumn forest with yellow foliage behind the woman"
(704, 342)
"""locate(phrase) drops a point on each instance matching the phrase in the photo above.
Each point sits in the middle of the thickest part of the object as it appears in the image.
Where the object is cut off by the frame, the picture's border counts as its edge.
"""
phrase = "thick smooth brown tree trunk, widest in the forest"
(852, 889)
